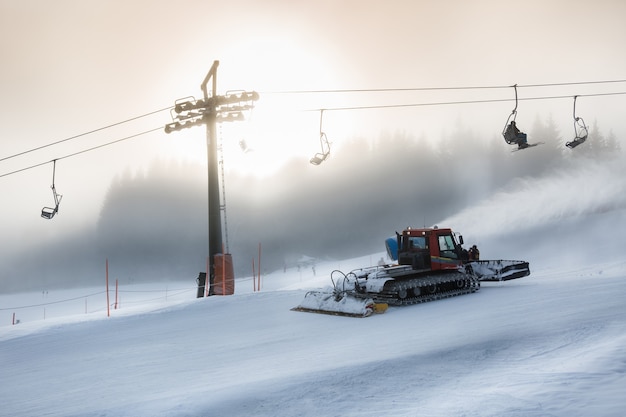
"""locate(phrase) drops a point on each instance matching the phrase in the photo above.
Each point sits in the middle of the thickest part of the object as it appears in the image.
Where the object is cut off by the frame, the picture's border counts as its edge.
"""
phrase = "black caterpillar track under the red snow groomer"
(431, 288)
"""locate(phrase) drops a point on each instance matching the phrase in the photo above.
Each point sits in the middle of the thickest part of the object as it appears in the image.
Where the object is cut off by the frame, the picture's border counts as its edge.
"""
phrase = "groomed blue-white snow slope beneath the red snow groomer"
(550, 344)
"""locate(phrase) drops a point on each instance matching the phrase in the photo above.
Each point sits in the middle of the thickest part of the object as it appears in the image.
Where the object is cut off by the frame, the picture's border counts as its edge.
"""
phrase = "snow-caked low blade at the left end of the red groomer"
(339, 305)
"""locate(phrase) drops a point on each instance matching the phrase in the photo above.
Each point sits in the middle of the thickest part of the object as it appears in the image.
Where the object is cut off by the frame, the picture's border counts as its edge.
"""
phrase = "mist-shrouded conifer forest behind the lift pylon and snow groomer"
(153, 224)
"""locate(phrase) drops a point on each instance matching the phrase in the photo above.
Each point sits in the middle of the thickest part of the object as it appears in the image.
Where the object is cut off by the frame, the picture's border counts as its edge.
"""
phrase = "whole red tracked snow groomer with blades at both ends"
(431, 265)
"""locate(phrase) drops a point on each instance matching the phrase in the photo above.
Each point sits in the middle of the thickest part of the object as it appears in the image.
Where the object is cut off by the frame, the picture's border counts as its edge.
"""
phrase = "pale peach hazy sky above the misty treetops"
(70, 67)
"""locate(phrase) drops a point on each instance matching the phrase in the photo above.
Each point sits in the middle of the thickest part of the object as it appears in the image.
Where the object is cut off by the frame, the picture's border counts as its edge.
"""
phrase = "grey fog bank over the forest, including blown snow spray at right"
(153, 223)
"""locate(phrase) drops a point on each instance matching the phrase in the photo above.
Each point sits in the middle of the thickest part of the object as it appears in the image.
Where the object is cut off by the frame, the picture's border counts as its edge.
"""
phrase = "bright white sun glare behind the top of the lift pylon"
(284, 124)
